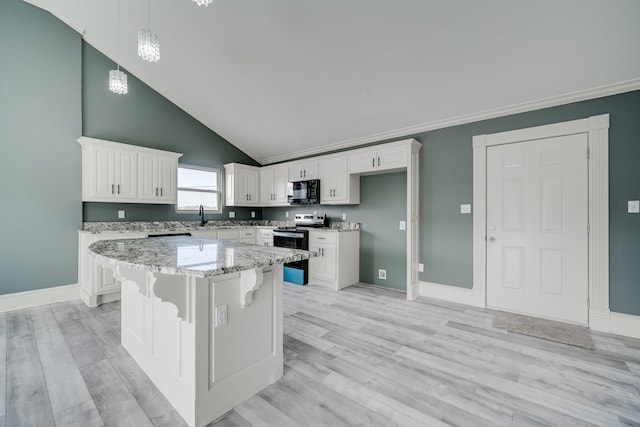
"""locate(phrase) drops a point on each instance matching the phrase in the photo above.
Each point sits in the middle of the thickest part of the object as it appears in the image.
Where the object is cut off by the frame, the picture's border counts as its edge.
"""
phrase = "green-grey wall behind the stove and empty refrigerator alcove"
(382, 244)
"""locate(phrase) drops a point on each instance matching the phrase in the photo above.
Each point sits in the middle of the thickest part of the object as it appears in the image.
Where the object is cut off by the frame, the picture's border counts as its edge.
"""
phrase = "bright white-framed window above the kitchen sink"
(198, 186)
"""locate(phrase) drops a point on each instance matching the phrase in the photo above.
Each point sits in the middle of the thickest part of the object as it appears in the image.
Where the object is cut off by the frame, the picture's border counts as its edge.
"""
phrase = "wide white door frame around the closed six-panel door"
(597, 128)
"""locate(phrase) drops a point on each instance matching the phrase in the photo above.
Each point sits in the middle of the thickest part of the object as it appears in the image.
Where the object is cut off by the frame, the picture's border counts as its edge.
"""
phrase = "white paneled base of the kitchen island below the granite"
(204, 364)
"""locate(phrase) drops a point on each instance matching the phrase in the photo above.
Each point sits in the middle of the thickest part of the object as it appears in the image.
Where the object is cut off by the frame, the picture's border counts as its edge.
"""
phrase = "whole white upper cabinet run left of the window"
(114, 172)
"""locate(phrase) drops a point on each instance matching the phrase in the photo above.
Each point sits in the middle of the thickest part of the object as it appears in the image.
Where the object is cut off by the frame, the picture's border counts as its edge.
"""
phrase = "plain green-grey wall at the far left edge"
(39, 124)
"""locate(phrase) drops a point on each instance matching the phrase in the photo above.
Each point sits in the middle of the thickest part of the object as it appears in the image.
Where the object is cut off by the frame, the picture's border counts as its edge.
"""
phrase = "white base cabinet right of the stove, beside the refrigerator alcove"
(338, 265)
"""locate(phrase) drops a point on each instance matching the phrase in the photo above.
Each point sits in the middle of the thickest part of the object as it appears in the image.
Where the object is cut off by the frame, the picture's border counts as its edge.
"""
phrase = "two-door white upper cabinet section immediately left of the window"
(157, 177)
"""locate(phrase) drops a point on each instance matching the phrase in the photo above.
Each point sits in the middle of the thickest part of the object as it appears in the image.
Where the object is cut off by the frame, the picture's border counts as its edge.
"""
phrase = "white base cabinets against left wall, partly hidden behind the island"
(97, 284)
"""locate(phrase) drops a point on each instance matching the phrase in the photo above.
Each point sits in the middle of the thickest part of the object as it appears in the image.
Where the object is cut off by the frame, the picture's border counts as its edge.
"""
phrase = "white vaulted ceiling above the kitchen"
(285, 78)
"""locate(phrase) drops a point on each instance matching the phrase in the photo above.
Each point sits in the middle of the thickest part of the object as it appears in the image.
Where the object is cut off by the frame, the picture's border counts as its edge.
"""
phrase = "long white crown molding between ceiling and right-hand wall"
(583, 95)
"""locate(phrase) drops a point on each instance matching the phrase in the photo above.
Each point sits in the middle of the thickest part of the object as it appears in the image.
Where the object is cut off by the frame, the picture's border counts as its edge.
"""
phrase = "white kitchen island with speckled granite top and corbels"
(202, 318)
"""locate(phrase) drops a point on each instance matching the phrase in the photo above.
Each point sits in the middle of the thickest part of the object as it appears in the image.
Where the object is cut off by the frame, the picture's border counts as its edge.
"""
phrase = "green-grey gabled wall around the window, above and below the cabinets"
(145, 118)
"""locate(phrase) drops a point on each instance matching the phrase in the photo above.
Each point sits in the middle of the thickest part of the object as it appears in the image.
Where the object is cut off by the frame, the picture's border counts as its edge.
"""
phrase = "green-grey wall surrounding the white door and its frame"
(446, 181)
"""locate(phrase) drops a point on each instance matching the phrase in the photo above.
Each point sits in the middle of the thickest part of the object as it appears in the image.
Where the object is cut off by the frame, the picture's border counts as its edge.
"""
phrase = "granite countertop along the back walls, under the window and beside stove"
(188, 226)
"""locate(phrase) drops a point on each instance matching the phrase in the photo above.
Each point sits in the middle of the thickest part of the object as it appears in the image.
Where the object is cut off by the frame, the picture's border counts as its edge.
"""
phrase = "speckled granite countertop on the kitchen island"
(191, 256)
